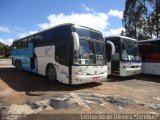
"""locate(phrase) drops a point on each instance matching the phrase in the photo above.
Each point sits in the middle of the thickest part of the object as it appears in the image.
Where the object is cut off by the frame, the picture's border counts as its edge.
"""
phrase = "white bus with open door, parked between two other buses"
(122, 56)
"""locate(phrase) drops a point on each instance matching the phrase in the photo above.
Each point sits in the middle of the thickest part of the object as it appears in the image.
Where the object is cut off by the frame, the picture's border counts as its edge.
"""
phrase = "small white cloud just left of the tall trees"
(115, 13)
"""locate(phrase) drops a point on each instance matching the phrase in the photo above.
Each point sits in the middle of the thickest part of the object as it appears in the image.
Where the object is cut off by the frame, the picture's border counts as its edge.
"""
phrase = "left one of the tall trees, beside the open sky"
(132, 17)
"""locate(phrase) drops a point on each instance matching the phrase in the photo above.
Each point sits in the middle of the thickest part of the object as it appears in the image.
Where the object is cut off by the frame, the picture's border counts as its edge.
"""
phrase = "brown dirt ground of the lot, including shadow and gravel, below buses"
(136, 94)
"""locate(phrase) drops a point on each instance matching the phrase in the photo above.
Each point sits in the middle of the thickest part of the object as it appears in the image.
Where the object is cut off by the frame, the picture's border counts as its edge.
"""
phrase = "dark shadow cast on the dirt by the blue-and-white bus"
(28, 82)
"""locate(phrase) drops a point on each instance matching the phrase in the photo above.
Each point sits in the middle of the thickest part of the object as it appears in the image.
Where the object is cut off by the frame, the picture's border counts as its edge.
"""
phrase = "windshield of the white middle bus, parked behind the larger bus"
(130, 50)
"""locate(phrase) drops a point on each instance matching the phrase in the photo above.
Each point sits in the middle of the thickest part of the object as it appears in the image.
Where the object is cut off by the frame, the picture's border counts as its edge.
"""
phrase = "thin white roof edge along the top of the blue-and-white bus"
(55, 27)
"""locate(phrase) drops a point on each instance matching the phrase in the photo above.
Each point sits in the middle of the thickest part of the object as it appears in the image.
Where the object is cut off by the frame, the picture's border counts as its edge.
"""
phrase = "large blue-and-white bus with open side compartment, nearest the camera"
(69, 53)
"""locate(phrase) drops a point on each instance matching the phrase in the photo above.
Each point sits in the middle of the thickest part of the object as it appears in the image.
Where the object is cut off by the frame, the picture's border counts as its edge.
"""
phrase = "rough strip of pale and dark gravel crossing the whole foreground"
(74, 101)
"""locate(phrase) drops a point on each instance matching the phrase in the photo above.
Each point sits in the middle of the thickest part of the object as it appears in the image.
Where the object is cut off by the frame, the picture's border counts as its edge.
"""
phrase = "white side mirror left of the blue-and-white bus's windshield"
(75, 41)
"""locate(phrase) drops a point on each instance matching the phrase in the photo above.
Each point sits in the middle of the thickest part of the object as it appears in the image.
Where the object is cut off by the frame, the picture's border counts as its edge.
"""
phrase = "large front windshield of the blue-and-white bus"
(92, 47)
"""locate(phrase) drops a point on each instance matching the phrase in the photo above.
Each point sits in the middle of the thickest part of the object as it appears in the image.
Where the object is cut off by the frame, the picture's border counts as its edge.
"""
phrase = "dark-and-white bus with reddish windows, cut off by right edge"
(150, 54)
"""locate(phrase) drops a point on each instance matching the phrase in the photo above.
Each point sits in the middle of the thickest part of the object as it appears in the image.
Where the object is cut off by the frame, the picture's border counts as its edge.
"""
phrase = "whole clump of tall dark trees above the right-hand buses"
(141, 18)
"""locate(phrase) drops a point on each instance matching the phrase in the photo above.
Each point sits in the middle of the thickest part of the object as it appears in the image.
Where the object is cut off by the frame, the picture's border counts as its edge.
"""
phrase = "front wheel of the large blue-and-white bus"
(51, 74)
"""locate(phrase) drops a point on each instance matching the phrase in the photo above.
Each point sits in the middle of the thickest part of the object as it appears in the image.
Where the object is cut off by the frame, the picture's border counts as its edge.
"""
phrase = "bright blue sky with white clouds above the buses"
(20, 18)
